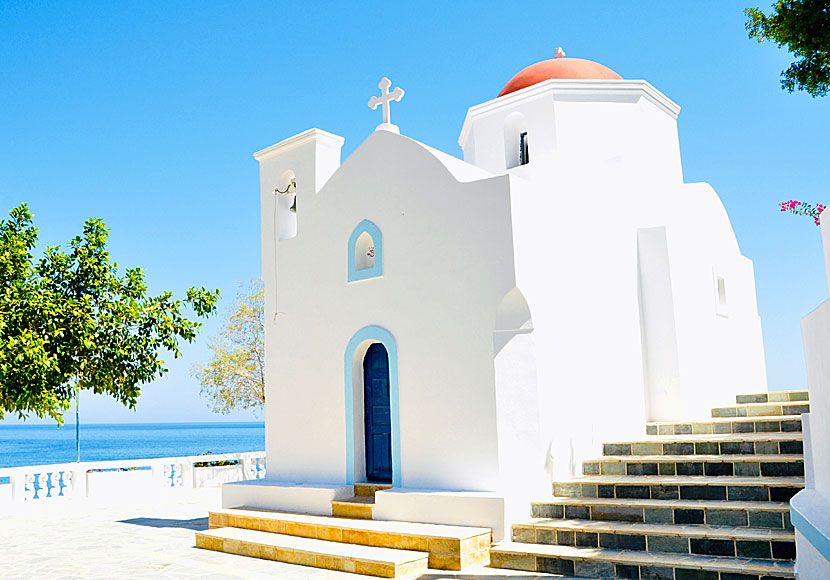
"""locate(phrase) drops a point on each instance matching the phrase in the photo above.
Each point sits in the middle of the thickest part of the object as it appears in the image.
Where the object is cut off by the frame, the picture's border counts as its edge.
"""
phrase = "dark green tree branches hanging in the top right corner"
(804, 27)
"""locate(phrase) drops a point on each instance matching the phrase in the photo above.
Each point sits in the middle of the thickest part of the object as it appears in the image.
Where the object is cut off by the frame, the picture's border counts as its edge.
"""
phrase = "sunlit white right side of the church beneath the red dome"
(604, 171)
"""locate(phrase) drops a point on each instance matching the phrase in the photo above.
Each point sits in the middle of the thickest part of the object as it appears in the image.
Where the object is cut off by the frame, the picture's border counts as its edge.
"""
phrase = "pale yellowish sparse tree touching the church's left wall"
(235, 376)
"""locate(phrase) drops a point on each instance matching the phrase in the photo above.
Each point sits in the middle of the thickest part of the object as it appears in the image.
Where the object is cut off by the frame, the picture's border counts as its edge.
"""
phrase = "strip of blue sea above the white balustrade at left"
(22, 445)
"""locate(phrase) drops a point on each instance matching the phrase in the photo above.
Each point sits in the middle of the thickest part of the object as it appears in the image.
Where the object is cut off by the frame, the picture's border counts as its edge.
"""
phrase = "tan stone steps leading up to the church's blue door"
(347, 541)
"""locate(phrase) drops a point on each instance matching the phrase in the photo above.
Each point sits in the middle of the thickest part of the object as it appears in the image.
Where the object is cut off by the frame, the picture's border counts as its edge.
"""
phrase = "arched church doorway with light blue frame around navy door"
(364, 362)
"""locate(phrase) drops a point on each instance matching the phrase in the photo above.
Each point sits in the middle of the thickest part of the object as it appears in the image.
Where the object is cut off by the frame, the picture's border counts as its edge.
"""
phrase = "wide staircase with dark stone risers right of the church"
(690, 501)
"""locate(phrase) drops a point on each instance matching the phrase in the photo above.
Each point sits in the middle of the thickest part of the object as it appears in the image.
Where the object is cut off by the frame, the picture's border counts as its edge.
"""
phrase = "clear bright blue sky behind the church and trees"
(147, 114)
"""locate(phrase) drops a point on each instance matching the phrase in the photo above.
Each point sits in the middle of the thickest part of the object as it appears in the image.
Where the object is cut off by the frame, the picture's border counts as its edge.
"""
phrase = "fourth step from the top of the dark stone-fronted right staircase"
(732, 444)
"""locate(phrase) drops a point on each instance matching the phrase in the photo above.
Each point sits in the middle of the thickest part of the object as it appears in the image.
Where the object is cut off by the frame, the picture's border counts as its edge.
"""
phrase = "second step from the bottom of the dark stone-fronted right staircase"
(740, 542)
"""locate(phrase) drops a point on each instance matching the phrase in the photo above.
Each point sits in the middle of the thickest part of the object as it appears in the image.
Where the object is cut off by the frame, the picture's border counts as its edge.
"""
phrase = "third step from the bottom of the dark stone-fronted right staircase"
(754, 514)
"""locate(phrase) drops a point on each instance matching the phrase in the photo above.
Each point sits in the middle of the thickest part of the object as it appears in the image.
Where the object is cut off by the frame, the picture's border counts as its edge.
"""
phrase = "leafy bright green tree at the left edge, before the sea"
(69, 321)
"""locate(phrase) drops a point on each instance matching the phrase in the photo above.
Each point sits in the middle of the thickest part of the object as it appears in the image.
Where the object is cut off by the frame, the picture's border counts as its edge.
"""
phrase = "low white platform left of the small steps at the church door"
(309, 498)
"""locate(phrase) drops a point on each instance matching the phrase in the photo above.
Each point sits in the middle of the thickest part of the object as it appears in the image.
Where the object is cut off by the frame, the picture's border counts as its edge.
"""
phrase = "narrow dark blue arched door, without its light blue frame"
(377, 414)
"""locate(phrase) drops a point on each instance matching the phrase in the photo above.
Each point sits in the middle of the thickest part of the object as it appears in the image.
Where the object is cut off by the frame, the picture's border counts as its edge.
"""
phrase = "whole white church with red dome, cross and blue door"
(466, 330)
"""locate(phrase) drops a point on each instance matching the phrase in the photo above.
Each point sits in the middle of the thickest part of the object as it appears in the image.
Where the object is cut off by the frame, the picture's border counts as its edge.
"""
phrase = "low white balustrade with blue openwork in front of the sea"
(119, 477)
